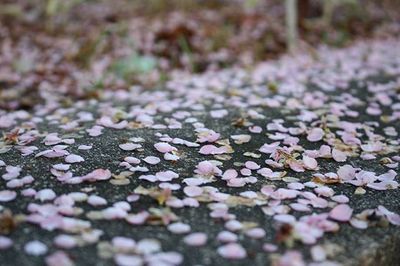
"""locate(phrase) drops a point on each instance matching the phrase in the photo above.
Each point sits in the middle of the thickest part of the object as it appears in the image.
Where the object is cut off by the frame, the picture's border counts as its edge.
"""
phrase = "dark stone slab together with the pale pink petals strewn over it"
(298, 160)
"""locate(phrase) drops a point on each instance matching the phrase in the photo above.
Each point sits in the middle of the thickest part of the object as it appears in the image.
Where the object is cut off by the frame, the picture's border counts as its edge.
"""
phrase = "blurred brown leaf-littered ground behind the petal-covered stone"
(77, 48)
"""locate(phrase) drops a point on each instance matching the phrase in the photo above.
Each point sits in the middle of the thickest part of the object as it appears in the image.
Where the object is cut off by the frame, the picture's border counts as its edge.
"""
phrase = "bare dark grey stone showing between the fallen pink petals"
(376, 245)
